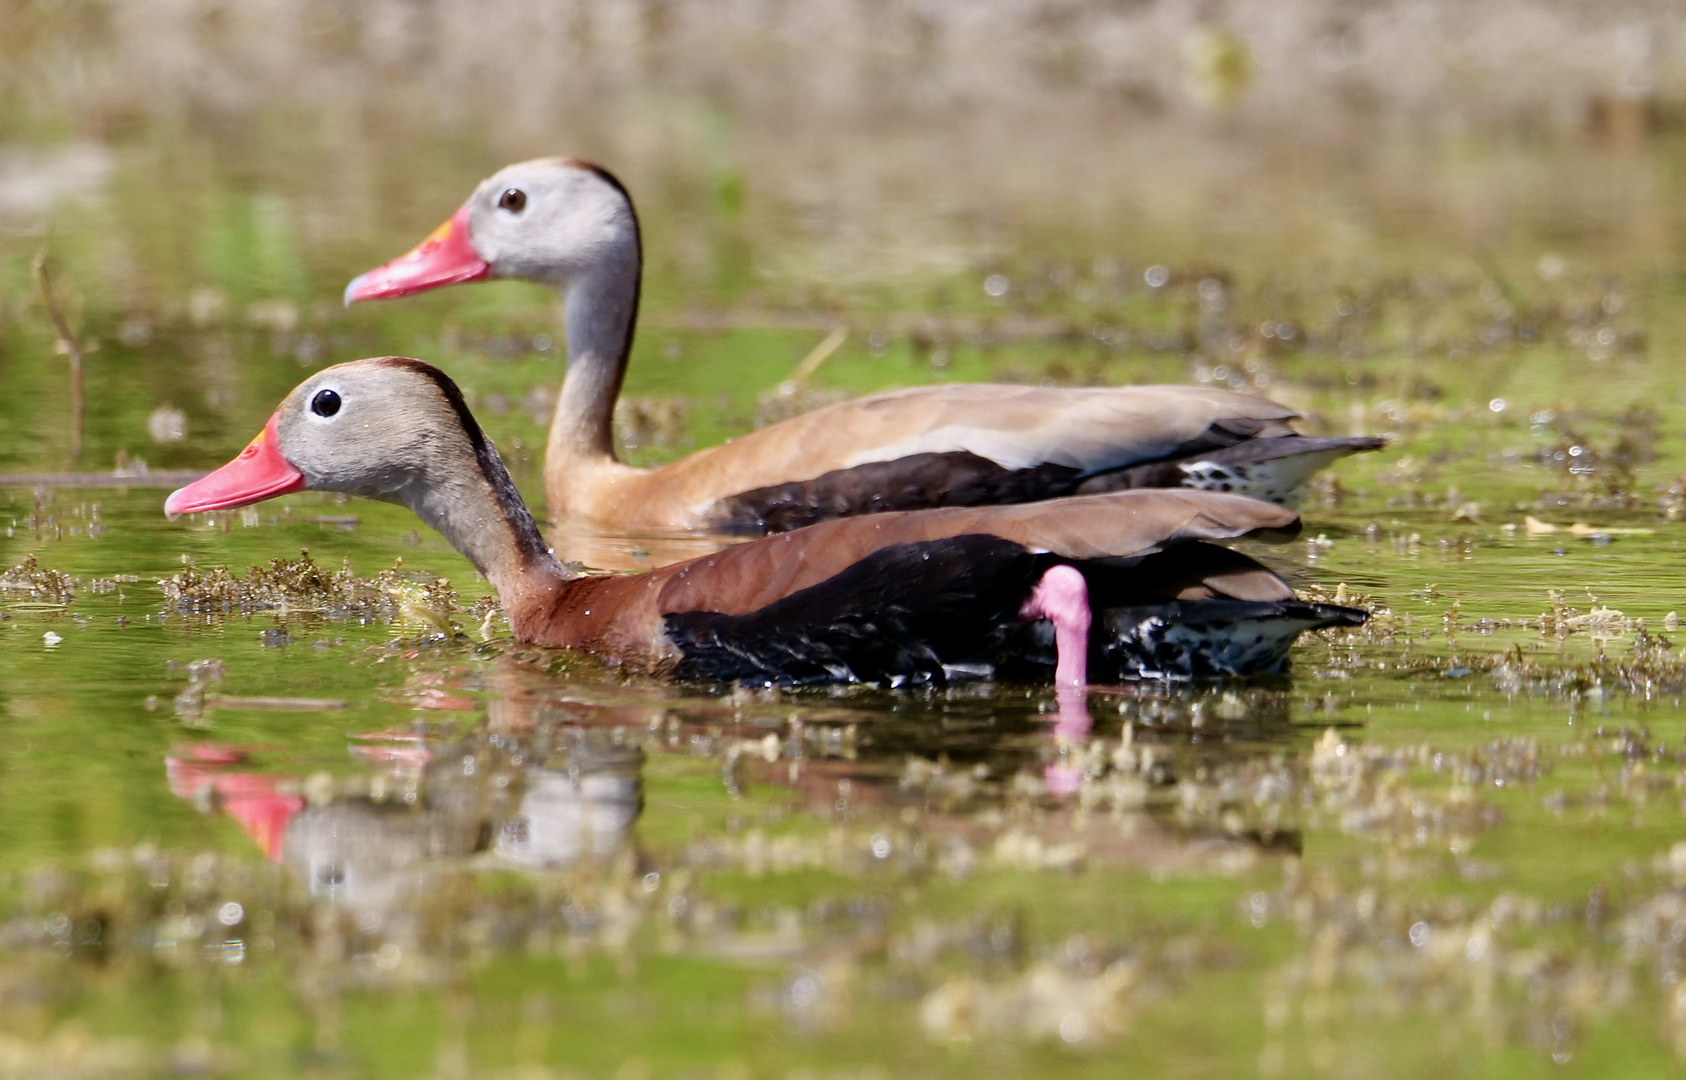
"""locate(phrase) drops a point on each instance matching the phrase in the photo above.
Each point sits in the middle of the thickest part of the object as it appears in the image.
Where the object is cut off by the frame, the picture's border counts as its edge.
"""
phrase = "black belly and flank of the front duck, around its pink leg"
(930, 611)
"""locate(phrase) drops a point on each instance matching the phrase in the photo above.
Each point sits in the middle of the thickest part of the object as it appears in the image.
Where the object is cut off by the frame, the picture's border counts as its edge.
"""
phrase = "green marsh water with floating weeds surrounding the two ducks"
(325, 818)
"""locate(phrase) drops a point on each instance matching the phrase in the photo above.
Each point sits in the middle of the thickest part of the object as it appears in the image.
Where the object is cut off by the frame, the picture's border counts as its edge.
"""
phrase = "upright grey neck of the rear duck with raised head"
(601, 311)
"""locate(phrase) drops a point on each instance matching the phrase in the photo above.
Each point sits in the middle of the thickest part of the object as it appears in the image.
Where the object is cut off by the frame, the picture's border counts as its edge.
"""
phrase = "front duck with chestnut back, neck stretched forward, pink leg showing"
(883, 597)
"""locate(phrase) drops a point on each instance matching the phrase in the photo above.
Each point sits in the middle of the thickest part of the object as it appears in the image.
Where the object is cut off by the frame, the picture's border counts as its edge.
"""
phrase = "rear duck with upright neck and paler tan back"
(571, 225)
